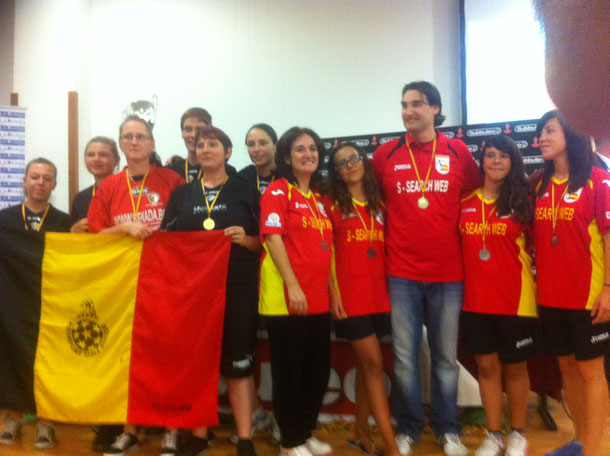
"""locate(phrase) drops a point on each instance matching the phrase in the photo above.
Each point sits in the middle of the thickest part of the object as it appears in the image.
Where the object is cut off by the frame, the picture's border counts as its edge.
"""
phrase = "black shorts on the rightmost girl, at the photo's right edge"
(570, 332)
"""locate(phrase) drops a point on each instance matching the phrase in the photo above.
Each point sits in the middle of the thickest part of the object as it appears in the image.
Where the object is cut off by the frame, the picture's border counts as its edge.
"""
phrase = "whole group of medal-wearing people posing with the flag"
(419, 237)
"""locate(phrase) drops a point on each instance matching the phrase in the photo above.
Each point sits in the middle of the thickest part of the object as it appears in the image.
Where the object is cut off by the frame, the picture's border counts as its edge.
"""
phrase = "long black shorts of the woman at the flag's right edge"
(239, 331)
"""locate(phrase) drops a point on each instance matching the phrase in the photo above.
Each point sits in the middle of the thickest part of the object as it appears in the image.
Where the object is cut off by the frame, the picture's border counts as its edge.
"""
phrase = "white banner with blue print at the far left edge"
(12, 155)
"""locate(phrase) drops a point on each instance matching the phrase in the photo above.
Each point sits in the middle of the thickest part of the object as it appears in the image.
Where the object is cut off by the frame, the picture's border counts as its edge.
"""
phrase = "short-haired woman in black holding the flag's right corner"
(219, 201)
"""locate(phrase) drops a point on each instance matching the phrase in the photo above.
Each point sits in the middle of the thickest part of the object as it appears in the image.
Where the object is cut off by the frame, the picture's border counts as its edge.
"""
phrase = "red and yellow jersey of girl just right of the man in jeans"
(504, 284)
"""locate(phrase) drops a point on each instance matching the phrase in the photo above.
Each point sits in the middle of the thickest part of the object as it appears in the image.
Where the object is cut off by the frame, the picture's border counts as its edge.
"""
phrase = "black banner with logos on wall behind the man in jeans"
(523, 132)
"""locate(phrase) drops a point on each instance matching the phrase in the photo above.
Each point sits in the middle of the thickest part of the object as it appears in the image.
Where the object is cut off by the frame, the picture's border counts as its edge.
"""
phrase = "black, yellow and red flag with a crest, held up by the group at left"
(109, 329)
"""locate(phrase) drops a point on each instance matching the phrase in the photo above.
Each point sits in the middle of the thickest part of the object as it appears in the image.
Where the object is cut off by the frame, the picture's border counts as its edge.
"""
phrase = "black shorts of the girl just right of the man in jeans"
(512, 337)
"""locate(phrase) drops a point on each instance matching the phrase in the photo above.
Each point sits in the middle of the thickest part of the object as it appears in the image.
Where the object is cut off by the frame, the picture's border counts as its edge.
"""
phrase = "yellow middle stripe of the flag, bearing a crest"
(89, 284)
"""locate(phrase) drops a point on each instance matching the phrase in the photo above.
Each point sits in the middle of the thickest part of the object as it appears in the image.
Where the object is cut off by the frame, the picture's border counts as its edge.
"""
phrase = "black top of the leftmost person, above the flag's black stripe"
(55, 221)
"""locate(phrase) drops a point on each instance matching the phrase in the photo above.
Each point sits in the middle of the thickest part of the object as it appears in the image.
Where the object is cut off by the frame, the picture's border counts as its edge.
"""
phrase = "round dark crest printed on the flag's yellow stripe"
(85, 335)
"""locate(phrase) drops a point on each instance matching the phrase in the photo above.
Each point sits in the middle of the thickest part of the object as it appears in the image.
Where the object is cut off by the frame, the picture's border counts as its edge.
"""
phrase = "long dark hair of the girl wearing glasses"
(338, 189)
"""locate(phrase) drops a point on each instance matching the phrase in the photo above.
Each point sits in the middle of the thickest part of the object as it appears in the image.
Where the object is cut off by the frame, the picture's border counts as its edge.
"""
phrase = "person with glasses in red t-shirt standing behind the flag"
(132, 202)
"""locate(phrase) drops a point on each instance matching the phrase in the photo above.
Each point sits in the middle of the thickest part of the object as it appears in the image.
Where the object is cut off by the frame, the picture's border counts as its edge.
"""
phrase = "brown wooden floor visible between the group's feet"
(76, 440)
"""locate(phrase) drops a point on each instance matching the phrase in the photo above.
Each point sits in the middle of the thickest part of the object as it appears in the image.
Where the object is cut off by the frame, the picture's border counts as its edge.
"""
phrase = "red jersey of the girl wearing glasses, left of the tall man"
(360, 278)
